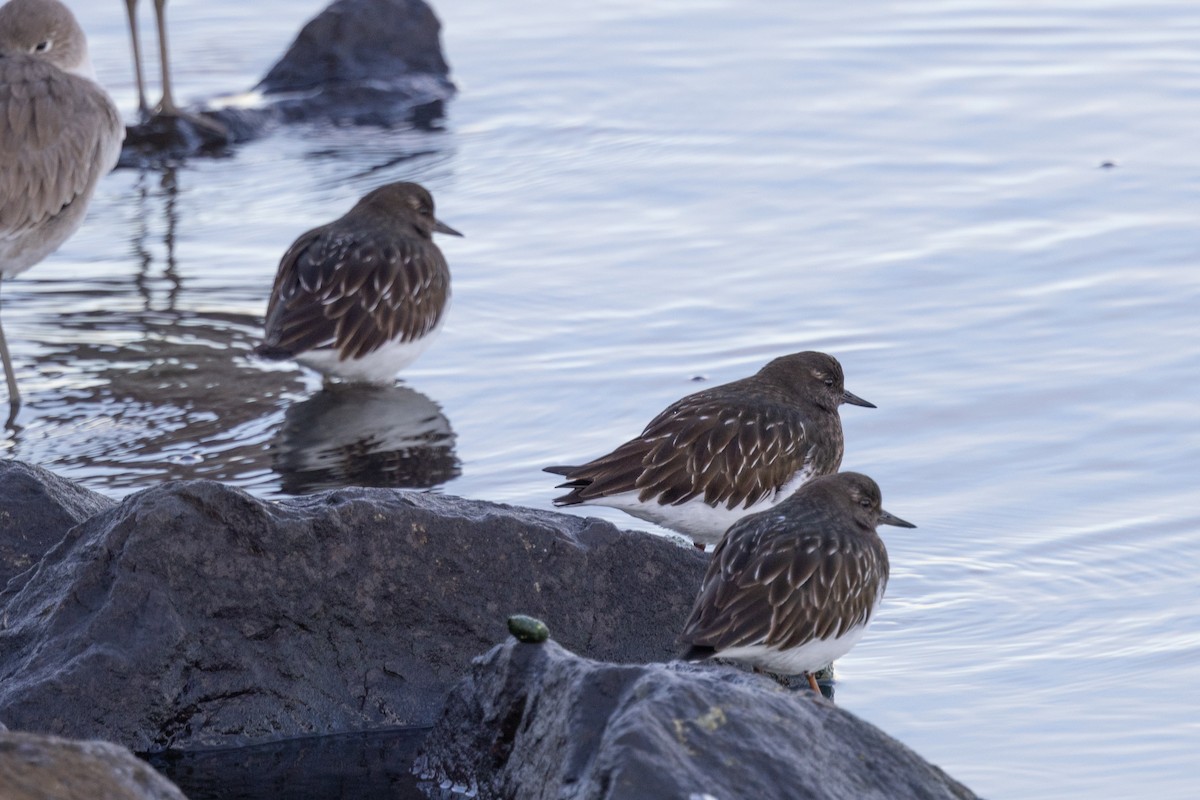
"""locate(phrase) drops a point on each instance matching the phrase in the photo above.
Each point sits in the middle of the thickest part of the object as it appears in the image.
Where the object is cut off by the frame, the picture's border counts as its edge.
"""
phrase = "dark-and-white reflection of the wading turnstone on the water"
(364, 436)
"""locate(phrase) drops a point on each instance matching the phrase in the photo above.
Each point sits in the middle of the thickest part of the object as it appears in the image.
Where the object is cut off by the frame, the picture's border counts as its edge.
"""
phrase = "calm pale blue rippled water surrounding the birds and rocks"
(659, 191)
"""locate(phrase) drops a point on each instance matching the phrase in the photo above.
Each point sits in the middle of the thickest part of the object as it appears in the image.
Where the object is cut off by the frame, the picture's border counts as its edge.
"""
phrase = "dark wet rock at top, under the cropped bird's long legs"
(365, 63)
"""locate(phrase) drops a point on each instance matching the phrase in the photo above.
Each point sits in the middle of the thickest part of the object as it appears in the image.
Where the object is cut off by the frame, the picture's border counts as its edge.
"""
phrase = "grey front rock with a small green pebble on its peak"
(535, 721)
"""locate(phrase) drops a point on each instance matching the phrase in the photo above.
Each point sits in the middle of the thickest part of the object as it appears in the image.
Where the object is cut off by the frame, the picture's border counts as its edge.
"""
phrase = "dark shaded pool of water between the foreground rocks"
(345, 767)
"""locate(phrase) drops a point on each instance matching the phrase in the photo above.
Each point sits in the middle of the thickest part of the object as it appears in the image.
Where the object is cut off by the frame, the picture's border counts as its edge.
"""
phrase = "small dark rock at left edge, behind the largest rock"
(37, 510)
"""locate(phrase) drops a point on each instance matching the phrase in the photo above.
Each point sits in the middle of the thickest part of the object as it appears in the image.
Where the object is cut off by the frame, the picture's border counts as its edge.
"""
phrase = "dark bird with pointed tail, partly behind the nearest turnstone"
(722, 454)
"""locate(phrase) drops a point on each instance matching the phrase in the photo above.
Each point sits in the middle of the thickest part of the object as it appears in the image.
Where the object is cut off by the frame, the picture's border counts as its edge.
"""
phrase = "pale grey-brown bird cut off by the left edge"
(59, 134)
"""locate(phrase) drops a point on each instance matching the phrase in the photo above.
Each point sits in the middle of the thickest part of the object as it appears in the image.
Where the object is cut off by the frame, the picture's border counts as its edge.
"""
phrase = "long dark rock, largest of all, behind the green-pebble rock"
(194, 615)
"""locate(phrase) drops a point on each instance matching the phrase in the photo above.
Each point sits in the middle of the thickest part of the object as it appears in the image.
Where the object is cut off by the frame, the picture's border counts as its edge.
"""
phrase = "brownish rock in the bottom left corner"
(44, 768)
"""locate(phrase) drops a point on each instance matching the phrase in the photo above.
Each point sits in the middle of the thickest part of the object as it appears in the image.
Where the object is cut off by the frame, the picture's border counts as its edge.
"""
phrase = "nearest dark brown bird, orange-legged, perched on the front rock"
(793, 590)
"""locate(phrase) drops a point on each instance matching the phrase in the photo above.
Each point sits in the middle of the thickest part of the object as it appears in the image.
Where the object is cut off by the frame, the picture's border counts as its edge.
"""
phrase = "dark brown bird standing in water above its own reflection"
(362, 298)
